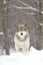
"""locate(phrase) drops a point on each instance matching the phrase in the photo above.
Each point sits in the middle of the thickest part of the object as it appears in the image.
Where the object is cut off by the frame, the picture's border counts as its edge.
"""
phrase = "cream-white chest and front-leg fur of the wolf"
(25, 44)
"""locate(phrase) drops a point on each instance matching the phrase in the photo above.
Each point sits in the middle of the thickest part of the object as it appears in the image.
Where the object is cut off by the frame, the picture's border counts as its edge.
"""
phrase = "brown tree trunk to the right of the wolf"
(38, 25)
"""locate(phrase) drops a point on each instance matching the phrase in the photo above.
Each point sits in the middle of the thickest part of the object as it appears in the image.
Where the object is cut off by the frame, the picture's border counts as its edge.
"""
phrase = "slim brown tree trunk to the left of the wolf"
(5, 25)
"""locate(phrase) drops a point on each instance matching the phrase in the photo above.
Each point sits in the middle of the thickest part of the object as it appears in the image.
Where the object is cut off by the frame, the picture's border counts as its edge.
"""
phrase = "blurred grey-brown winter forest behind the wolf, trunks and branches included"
(14, 12)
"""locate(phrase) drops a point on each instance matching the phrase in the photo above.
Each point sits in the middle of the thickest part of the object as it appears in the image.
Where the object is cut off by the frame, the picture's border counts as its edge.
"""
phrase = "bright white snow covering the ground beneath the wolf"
(33, 57)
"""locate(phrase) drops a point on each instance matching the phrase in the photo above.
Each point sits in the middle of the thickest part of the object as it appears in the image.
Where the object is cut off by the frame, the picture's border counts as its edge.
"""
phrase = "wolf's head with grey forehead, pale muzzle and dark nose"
(21, 31)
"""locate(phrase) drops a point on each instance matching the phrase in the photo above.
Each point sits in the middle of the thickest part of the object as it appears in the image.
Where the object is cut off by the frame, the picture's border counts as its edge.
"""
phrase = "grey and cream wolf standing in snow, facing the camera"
(22, 38)
